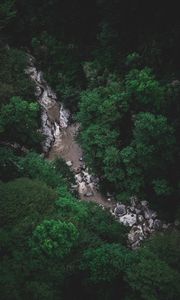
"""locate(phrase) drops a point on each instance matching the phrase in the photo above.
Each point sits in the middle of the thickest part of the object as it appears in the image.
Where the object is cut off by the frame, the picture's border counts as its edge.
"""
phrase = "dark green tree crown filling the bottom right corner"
(153, 278)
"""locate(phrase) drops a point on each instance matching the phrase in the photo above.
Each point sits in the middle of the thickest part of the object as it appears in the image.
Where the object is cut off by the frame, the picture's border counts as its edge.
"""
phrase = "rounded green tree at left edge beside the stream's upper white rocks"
(18, 122)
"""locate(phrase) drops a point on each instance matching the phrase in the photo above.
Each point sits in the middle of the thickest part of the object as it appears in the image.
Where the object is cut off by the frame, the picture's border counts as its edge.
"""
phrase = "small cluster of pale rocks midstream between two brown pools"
(85, 183)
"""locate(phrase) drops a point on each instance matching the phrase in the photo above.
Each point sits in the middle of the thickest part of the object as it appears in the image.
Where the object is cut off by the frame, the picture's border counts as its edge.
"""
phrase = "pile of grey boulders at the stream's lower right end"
(141, 219)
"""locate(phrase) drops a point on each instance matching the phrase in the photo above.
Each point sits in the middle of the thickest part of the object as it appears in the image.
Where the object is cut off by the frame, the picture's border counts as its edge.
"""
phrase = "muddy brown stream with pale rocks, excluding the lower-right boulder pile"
(60, 138)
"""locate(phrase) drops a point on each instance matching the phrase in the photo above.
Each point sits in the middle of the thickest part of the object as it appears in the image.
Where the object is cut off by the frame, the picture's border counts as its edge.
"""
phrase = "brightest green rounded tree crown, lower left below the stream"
(54, 238)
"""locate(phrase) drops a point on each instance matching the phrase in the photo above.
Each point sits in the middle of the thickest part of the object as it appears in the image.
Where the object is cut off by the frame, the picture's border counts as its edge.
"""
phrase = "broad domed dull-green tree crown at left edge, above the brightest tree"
(23, 201)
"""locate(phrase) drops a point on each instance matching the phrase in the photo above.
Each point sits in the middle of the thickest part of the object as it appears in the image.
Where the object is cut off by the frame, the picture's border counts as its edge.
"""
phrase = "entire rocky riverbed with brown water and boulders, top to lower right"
(60, 141)
